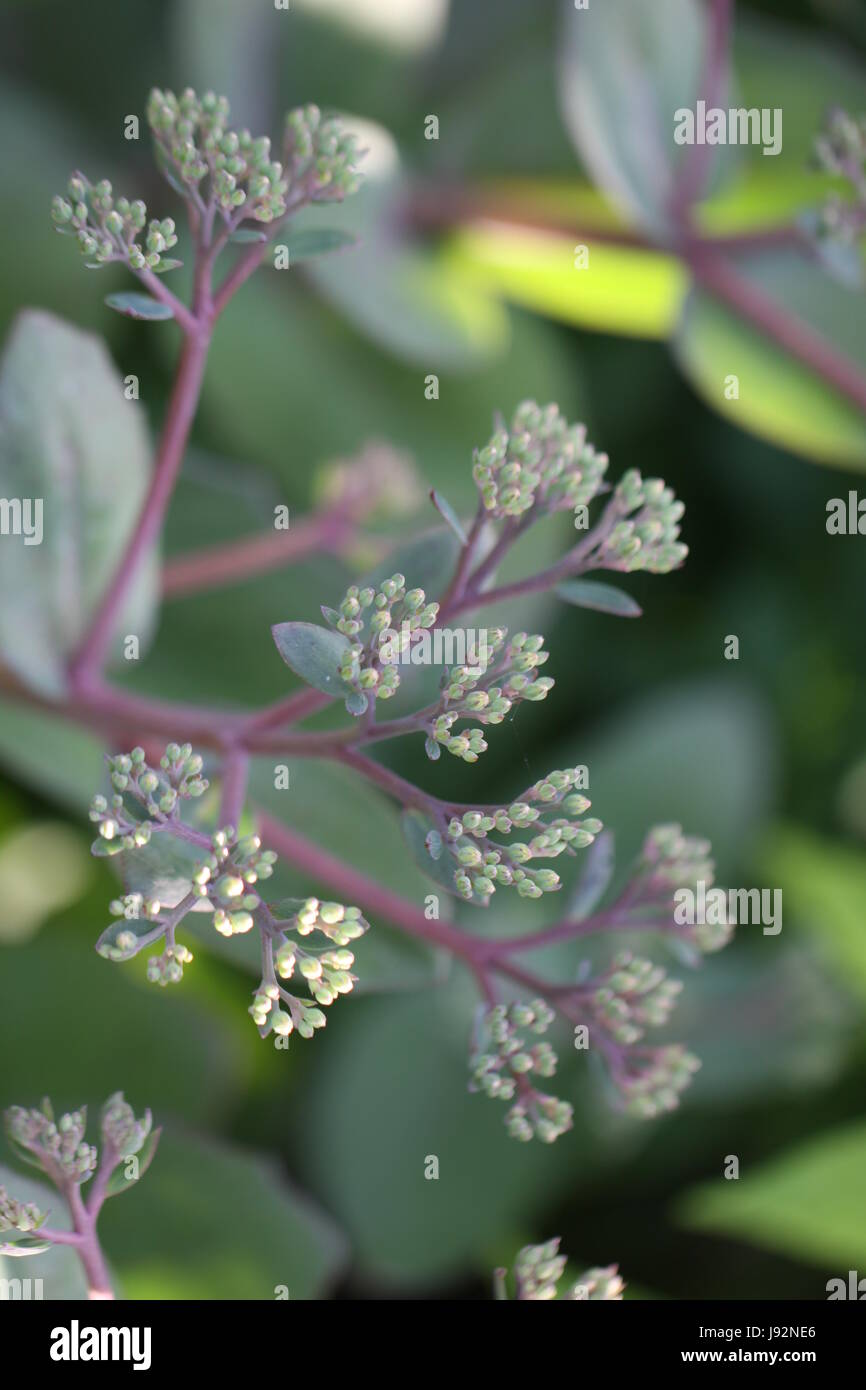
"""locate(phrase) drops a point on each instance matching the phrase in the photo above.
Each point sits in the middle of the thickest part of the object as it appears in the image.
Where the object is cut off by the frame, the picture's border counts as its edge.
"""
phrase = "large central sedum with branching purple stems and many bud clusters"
(183, 853)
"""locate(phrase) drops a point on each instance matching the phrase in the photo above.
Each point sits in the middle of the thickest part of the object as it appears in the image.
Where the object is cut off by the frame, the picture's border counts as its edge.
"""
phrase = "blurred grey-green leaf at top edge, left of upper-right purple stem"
(626, 67)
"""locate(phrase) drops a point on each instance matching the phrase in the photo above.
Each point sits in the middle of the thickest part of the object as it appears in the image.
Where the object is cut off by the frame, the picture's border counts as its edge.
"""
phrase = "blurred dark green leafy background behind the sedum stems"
(307, 1170)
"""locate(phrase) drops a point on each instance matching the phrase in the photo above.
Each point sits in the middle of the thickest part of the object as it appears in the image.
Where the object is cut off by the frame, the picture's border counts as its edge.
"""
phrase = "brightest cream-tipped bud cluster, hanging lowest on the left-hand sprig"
(325, 972)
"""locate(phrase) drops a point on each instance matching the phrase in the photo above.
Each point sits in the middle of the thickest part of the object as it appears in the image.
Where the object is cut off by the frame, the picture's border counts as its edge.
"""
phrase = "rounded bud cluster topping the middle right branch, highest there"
(540, 462)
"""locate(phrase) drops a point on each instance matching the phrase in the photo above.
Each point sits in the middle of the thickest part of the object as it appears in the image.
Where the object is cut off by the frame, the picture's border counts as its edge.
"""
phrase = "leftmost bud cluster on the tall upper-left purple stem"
(111, 229)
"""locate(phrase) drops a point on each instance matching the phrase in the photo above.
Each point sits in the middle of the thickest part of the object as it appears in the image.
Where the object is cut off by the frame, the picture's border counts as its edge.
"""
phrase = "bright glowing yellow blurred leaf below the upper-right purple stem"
(619, 290)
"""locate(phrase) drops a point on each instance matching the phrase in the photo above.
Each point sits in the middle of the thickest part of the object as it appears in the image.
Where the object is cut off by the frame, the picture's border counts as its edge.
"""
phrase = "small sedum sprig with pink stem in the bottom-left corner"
(59, 1149)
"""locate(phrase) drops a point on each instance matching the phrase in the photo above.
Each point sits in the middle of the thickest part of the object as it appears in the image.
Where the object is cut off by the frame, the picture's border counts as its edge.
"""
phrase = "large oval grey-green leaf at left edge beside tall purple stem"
(79, 451)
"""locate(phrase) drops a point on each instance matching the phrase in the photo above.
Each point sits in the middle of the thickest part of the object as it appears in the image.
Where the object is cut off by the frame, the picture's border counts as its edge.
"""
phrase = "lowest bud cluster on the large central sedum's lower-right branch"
(504, 1060)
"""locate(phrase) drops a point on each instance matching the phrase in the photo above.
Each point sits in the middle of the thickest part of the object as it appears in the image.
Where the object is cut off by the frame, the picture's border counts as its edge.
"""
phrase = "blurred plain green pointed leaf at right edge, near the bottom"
(808, 1204)
